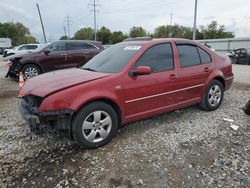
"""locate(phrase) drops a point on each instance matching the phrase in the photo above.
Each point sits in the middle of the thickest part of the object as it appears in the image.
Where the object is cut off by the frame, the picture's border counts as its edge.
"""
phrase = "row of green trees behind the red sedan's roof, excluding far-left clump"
(104, 34)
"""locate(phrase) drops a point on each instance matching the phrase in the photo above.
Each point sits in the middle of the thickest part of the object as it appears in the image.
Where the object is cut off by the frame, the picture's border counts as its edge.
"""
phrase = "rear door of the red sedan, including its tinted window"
(195, 67)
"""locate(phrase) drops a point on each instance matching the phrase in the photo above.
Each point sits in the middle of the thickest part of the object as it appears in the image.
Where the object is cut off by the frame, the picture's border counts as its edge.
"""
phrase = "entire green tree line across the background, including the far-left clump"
(20, 34)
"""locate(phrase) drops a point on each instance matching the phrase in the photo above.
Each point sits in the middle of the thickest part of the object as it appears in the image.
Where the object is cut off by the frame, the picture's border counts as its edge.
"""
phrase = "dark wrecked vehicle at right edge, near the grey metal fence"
(239, 56)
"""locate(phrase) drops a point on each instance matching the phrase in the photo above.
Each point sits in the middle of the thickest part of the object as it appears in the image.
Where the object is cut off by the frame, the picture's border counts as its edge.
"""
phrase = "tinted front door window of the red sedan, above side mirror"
(159, 58)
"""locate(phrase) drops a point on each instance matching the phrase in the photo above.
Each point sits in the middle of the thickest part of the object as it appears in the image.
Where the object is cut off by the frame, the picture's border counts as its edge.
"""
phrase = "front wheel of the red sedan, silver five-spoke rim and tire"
(86, 114)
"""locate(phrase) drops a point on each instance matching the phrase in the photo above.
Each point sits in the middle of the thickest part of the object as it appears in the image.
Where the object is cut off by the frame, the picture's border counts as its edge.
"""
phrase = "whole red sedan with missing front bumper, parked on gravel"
(126, 82)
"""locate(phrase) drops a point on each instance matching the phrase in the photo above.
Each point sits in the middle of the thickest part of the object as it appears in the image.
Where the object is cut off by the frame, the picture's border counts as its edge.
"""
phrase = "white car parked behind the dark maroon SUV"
(24, 48)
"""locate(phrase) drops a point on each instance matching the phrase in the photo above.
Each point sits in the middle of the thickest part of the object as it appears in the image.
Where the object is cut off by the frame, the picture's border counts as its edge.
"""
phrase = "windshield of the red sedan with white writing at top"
(113, 59)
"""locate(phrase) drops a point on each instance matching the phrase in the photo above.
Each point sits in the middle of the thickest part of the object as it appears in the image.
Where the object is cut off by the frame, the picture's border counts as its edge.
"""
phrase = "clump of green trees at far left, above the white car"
(17, 32)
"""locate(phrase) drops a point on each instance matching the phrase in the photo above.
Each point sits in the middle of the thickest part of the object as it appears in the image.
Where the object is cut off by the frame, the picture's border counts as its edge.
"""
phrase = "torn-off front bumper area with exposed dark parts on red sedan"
(28, 107)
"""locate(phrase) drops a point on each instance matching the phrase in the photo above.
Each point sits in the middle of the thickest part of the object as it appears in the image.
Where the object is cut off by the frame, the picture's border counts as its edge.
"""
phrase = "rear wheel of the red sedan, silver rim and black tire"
(208, 99)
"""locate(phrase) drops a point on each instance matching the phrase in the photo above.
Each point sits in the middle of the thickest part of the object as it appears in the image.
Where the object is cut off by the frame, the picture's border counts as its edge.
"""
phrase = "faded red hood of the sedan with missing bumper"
(49, 83)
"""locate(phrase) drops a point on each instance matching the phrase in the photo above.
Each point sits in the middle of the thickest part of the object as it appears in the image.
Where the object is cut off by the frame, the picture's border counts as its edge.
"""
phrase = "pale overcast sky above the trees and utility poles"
(121, 15)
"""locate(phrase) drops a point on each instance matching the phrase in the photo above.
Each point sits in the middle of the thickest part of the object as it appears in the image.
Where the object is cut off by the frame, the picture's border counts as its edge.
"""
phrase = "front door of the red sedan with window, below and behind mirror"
(146, 94)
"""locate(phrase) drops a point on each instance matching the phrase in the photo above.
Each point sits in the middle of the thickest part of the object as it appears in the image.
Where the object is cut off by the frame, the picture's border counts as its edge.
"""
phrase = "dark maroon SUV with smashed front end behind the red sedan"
(57, 55)
